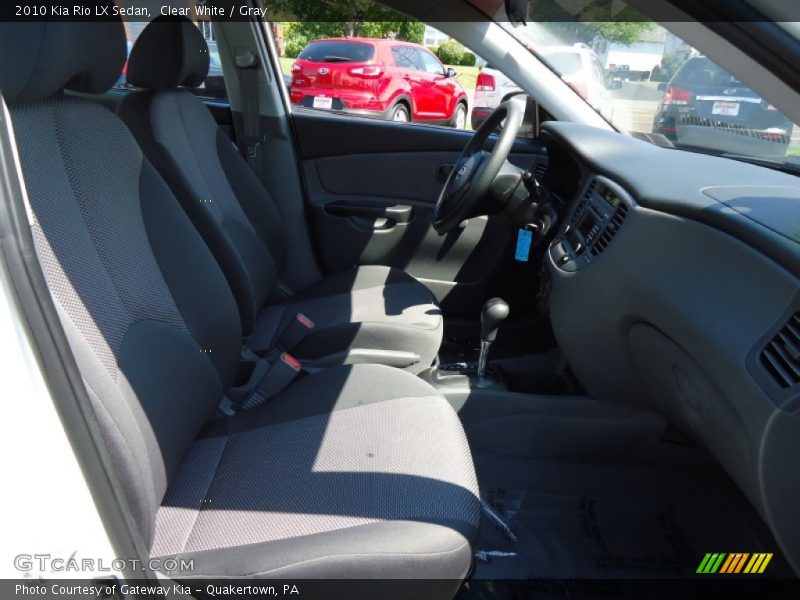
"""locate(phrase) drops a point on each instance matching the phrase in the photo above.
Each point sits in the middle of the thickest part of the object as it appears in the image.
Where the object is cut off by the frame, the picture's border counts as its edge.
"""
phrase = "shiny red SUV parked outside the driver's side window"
(396, 80)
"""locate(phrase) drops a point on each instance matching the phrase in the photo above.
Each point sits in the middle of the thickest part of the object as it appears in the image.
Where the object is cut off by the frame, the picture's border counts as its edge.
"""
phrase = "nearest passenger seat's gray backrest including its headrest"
(148, 313)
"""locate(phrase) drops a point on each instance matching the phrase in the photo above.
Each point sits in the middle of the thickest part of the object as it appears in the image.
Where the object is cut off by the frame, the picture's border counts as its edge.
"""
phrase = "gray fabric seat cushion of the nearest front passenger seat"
(357, 472)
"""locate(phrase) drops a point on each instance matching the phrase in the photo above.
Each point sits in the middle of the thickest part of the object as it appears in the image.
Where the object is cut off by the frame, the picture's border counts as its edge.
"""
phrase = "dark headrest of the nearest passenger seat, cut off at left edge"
(40, 58)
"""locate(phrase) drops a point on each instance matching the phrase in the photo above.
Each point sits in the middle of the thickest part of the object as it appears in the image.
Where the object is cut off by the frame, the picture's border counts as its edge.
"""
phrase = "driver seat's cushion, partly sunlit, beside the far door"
(369, 307)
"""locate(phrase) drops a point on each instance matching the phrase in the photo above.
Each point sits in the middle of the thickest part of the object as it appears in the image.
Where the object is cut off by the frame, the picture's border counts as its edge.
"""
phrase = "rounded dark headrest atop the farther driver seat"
(170, 52)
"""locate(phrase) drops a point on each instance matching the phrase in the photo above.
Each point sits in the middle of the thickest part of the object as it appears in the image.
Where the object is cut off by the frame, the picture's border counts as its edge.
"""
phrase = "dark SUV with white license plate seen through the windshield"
(706, 107)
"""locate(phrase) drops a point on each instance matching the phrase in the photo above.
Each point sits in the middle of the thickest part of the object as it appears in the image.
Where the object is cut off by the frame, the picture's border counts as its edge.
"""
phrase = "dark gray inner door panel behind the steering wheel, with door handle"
(372, 187)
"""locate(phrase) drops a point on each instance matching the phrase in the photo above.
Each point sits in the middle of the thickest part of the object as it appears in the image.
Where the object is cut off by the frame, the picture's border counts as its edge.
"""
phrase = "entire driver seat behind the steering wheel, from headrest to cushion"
(381, 313)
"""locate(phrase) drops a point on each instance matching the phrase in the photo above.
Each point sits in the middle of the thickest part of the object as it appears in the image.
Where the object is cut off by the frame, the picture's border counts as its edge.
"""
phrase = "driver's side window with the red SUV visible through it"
(374, 69)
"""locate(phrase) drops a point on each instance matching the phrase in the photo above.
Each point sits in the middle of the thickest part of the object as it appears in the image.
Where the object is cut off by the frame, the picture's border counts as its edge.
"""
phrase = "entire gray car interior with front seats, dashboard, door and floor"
(324, 346)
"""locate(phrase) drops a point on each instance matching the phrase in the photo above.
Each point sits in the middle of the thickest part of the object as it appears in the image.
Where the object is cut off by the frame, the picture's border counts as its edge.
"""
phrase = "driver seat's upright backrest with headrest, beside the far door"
(228, 203)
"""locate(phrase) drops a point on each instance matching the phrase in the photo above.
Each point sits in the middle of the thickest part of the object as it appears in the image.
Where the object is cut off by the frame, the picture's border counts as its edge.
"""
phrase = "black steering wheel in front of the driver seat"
(476, 169)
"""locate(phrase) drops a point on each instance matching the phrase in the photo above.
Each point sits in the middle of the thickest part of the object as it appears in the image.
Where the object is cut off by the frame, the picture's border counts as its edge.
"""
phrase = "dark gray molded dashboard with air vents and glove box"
(675, 287)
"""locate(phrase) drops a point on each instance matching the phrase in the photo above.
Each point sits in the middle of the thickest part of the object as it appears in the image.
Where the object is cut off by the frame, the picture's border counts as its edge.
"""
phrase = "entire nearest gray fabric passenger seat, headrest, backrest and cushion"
(356, 471)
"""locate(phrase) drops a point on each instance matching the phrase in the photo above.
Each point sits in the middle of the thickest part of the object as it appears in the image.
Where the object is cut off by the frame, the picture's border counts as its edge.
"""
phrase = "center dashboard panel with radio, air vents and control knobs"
(592, 224)
